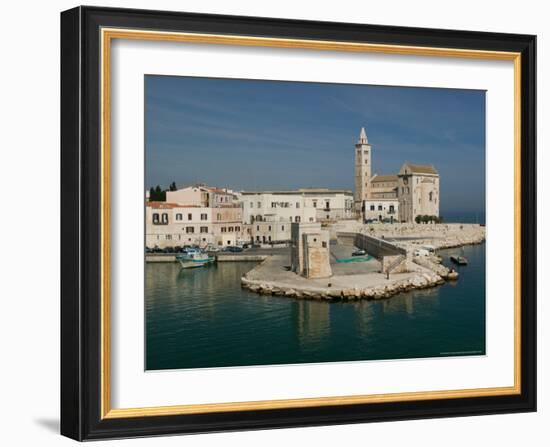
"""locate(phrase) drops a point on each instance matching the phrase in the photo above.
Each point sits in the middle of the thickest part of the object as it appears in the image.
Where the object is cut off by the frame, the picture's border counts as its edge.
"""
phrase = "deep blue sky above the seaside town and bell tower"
(255, 135)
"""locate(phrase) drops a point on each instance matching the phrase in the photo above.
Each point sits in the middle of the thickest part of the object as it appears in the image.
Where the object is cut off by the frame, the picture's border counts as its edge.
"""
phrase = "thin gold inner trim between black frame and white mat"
(107, 35)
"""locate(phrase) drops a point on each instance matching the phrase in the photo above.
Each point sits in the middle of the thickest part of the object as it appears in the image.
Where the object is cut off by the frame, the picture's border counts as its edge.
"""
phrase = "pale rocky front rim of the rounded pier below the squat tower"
(338, 288)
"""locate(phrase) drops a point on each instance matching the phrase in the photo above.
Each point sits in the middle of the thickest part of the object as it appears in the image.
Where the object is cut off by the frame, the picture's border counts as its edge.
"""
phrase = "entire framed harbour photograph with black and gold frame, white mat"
(276, 223)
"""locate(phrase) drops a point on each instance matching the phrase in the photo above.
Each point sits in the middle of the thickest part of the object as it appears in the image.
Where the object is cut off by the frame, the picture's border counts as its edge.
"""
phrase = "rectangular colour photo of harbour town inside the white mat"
(279, 191)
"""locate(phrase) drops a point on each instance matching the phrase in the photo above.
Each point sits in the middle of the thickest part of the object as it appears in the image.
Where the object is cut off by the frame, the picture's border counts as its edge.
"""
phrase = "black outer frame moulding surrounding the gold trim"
(81, 224)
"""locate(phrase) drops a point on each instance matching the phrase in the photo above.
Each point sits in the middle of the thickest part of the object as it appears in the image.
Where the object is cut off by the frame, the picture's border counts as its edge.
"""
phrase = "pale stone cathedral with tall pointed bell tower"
(401, 197)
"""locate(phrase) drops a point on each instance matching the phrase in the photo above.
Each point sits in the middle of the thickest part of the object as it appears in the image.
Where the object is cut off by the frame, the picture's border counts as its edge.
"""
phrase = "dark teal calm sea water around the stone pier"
(202, 318)
